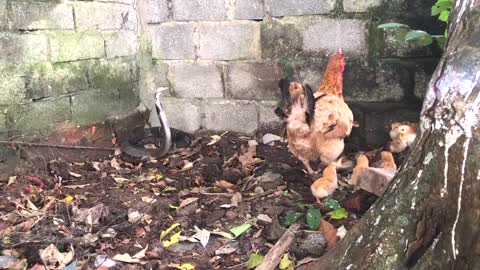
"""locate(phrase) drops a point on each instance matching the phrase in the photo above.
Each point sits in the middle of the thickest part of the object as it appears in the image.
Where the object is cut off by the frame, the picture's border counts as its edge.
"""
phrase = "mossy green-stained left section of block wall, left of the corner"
(66, 61)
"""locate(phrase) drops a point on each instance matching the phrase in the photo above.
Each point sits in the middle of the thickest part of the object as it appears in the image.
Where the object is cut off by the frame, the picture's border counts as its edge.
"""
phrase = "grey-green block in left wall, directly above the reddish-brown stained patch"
(105, 102)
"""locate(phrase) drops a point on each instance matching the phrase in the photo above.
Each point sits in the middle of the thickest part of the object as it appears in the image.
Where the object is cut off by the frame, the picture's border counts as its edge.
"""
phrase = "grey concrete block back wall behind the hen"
(221, 59)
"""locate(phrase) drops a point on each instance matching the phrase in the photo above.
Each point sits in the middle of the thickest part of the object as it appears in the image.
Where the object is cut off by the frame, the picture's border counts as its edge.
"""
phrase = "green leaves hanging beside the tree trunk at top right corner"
(442, 9)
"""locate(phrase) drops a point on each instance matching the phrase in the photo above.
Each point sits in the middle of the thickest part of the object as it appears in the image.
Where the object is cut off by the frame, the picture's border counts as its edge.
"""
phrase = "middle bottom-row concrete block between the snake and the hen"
(236, 116)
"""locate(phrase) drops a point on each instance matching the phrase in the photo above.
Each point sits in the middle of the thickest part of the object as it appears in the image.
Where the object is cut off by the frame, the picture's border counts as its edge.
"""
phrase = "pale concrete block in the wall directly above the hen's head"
(327, 35)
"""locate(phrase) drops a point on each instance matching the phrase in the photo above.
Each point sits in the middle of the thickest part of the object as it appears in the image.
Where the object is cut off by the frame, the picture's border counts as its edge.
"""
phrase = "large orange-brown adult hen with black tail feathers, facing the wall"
(317, 124)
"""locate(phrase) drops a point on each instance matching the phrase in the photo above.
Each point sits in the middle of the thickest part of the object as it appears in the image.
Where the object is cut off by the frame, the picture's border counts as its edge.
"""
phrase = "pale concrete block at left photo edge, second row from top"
(26, 48)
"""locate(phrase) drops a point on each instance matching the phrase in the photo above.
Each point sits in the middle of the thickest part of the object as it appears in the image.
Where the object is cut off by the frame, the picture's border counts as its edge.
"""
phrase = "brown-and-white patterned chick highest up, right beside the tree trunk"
(403, 135)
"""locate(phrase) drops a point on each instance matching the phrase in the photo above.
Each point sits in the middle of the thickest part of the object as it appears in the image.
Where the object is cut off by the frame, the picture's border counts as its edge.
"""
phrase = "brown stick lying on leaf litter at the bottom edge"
(272, 259)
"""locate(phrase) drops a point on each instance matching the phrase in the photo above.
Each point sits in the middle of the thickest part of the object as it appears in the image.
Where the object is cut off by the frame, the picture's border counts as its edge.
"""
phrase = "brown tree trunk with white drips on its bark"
(429, 218)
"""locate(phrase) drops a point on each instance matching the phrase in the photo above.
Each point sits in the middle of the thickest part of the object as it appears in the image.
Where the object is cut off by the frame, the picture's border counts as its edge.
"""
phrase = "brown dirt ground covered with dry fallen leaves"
(113, 211)
